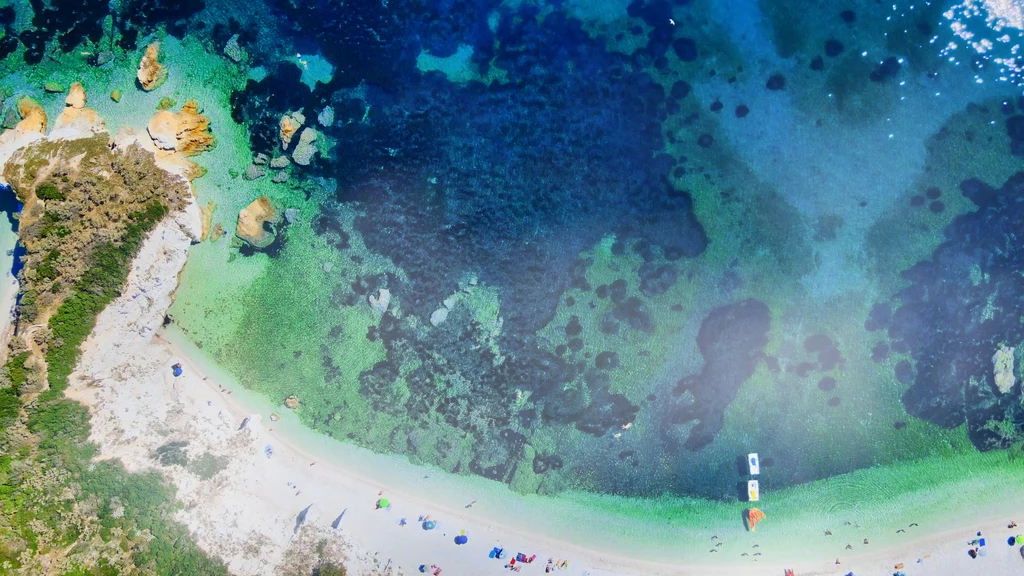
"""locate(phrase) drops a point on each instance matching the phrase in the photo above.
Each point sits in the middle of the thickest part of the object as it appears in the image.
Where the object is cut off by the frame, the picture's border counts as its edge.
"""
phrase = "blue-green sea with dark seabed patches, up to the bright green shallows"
(583, 245)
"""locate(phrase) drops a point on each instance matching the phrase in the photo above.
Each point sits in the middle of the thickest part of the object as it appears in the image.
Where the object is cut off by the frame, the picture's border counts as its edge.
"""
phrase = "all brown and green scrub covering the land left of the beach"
(58, 508)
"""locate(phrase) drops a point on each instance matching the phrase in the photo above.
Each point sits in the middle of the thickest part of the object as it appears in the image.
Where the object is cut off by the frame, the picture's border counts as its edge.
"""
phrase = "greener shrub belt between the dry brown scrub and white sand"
(62, 427)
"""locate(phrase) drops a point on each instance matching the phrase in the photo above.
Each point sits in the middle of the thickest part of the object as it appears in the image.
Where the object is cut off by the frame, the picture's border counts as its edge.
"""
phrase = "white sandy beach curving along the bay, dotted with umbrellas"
(249, 513)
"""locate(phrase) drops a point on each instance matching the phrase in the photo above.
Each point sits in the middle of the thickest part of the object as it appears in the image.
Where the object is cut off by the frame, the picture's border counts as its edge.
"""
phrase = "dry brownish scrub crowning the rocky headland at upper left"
(70, 214)
